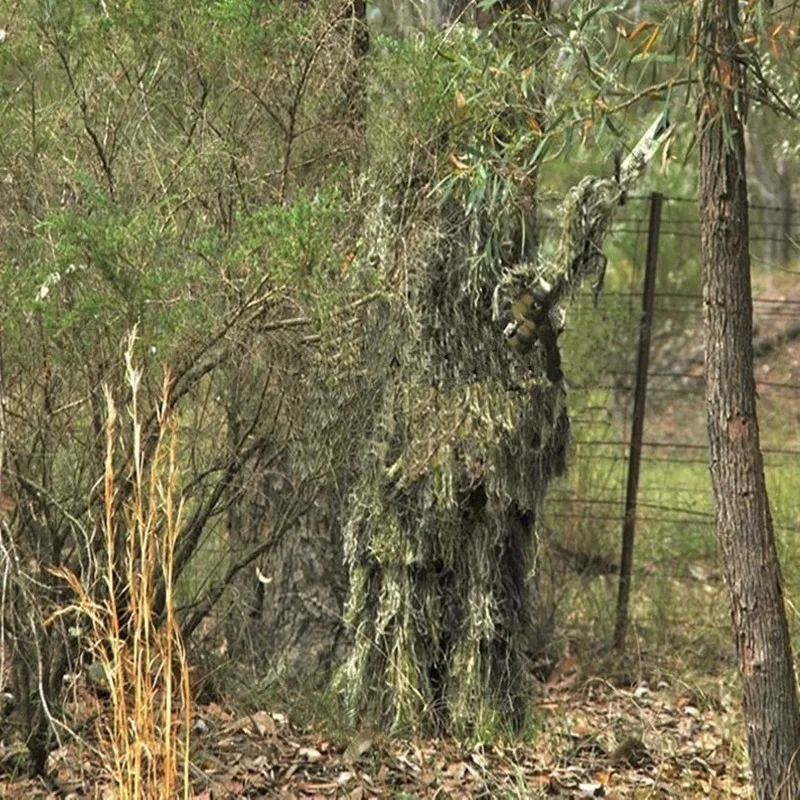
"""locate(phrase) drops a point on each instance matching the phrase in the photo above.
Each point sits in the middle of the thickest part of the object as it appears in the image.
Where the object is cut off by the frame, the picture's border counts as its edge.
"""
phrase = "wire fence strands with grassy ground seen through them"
(673, 495)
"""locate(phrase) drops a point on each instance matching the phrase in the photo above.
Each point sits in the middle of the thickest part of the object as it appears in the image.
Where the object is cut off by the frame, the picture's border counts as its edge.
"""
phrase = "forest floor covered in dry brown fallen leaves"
(591, 738)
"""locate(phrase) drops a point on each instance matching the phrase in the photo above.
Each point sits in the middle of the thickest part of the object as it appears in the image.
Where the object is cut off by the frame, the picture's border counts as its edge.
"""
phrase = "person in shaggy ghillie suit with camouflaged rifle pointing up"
(441, 539)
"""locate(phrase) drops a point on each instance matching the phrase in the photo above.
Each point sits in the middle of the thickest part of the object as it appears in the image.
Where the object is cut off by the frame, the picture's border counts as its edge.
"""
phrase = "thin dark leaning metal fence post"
(637, 428)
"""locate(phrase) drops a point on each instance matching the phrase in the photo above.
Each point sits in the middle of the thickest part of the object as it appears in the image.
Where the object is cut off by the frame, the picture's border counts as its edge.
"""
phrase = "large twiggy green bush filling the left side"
(187, 169)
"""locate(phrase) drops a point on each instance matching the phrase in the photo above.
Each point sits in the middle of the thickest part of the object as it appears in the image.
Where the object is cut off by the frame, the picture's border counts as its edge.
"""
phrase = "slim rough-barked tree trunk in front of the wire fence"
(743, 520)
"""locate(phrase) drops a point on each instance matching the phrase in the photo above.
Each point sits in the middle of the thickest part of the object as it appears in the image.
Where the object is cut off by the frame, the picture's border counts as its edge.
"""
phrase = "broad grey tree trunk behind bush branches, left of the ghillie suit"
(284, 613)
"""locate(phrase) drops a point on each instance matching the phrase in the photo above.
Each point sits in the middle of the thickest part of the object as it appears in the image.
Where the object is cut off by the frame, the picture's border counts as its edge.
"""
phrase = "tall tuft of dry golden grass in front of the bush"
(133, 635)
